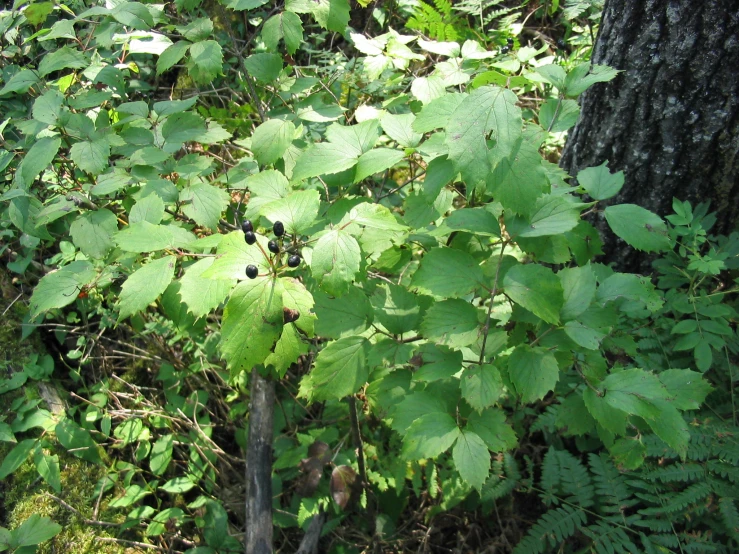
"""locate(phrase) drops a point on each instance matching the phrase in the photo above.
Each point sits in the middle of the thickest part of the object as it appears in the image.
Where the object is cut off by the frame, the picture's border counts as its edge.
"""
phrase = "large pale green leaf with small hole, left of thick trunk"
(487, 111)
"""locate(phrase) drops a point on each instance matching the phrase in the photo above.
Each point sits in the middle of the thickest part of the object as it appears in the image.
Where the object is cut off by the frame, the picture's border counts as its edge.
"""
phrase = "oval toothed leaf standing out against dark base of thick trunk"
(640, 228)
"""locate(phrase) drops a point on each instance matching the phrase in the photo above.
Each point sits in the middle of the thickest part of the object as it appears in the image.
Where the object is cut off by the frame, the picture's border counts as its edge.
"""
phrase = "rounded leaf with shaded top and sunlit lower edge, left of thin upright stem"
(453, 322)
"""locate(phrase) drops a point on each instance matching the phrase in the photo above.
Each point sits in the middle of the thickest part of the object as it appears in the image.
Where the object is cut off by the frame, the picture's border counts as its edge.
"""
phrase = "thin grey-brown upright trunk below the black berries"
(259, 466)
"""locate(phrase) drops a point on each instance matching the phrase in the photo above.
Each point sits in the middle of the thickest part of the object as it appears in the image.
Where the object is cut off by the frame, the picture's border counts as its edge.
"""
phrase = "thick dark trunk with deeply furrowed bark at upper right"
(670, 120)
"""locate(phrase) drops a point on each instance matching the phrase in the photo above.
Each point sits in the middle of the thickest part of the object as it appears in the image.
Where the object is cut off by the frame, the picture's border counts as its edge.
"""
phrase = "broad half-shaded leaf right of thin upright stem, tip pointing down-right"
(537, 289)
